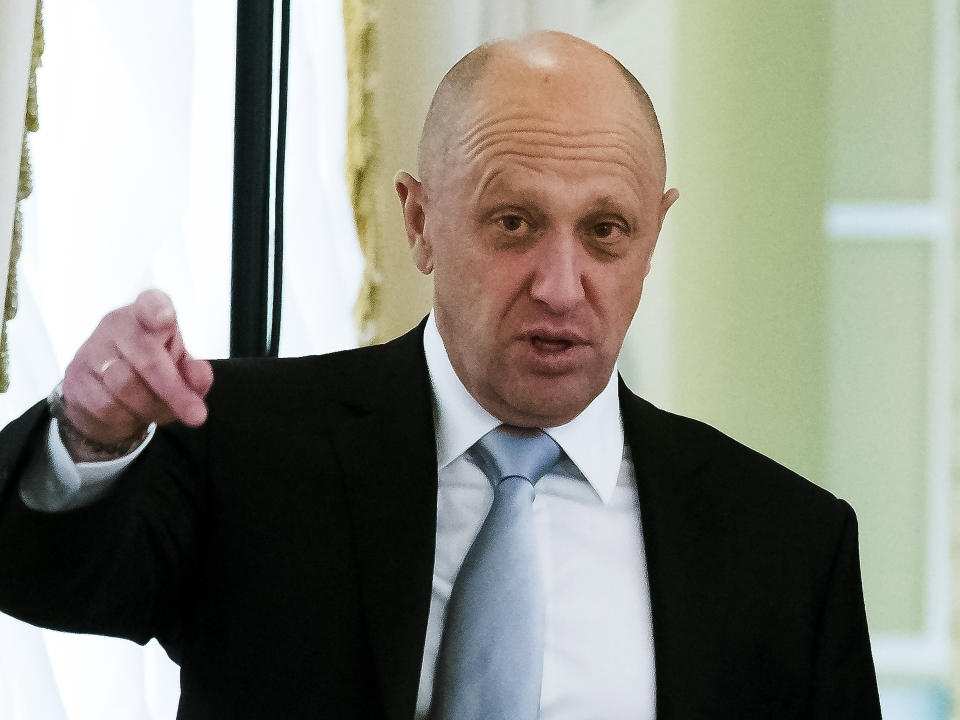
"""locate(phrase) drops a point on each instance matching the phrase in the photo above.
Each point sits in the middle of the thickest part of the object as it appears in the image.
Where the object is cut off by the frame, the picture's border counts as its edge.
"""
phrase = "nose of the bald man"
(558, 274)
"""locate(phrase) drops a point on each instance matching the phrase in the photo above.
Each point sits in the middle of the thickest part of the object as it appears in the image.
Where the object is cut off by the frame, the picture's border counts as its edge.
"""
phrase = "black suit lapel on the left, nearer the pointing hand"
(389, 460)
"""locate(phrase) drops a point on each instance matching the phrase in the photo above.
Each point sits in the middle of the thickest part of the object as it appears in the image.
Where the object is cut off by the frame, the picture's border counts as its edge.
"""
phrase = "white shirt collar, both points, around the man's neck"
(593, 440)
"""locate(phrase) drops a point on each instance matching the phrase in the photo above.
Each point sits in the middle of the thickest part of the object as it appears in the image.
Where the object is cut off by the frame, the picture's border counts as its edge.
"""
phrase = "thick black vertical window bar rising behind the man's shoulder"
(251, 178)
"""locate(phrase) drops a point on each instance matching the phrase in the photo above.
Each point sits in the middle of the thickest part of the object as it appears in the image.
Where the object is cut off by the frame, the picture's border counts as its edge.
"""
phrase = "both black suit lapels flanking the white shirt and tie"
(388, 457)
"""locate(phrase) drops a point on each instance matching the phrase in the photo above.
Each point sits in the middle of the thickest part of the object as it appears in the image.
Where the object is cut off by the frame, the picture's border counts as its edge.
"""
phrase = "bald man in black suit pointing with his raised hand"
(293, 536)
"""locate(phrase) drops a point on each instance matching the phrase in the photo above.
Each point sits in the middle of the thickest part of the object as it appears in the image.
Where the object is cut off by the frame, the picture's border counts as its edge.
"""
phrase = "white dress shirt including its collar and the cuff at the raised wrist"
(598, 660)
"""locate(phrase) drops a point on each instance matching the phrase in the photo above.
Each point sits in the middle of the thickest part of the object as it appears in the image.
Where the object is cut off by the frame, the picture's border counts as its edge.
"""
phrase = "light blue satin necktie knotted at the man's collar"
(490, 664)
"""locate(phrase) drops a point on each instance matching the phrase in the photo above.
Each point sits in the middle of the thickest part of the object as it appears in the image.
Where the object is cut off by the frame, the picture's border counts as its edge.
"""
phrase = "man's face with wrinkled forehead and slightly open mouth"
(539, 234)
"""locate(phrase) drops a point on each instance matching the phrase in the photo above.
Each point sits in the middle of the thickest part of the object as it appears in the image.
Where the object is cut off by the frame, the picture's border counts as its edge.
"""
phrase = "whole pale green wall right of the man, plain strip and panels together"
(813, 350)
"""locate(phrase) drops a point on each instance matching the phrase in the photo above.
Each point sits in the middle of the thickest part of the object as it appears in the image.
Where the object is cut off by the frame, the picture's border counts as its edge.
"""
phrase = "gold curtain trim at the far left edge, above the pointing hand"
(24, 188)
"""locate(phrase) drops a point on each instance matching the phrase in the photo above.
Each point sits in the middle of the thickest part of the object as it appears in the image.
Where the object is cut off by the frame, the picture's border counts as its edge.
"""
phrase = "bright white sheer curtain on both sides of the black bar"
(133, 189)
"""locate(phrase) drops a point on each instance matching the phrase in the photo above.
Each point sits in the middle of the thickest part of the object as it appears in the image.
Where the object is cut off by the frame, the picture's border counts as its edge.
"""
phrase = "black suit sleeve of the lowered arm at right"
(845, 684)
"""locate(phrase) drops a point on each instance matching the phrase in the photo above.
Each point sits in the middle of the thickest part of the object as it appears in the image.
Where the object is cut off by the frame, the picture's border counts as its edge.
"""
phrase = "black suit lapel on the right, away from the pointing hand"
(685, 566)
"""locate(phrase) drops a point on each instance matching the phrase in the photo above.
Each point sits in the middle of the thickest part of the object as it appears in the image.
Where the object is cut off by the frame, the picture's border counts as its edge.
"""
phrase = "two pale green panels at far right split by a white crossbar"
(880, 302)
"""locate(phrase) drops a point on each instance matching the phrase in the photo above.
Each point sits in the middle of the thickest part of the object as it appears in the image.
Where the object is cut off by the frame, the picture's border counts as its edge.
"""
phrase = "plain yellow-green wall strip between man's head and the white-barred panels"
(751, 164)
